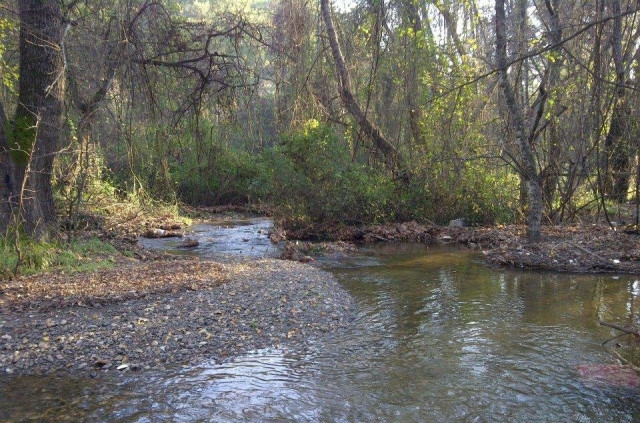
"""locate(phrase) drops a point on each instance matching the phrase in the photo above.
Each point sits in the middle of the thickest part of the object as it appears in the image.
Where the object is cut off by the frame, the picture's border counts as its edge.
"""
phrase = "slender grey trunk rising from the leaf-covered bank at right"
(527, 159)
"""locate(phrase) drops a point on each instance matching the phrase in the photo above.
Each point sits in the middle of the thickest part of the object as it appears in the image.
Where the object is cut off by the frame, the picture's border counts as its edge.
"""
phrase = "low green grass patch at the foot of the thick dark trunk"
(78, 256)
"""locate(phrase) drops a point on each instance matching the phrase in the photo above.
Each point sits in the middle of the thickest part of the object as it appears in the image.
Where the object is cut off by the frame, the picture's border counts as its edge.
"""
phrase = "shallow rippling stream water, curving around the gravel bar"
(439, 337)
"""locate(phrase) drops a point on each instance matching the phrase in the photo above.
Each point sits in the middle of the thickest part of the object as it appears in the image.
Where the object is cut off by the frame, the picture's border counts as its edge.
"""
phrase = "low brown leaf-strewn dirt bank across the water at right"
(577, 248)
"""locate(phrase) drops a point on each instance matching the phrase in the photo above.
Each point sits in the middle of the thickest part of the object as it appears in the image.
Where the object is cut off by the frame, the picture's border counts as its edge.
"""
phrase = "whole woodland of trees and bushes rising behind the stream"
(498, 110)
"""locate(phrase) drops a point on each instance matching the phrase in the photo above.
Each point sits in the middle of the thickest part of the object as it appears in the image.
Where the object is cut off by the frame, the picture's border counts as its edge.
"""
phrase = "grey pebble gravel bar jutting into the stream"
(263, 303)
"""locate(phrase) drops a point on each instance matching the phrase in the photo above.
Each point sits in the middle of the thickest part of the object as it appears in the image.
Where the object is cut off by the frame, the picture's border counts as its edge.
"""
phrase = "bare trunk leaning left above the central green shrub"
(348, 100)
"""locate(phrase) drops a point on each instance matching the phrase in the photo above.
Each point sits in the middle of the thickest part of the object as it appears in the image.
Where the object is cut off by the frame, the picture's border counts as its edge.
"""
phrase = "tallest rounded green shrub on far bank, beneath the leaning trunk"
(310, 177)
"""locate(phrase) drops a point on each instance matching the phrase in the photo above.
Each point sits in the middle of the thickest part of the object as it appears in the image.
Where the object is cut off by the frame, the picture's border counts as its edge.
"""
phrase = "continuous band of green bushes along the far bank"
(312, 175)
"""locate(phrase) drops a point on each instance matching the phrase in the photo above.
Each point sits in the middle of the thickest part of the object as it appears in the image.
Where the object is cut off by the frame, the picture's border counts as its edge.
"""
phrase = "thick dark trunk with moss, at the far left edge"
(34, 135)
